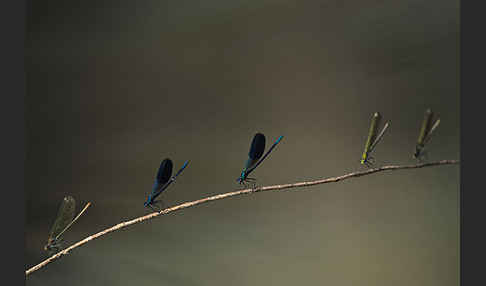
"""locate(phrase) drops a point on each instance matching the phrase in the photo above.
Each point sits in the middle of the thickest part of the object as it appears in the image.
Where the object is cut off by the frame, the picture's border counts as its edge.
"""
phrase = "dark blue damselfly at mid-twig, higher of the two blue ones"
(256, 151)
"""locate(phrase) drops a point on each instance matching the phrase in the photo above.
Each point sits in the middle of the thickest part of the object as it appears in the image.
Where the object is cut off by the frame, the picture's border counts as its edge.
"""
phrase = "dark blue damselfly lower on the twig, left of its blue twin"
(162, 181)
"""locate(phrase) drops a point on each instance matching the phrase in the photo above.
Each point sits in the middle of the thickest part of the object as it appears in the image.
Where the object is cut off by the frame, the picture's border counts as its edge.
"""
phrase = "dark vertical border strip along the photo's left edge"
(13, 80)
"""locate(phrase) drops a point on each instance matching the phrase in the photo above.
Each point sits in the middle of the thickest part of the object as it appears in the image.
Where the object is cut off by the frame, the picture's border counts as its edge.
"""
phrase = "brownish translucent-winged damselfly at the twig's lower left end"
(65, 218)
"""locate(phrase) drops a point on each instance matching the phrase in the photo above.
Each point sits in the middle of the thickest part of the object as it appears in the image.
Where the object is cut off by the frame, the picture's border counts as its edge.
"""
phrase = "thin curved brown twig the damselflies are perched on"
(232, 194)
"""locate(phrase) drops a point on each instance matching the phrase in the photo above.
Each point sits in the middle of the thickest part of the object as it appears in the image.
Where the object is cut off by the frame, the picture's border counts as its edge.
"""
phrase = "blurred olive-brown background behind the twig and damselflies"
(114, 87)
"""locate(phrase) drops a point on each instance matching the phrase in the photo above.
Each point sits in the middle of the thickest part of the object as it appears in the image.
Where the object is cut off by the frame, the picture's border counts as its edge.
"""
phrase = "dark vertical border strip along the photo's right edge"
(471, 84)
